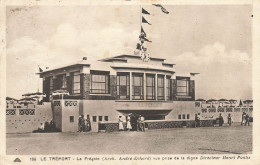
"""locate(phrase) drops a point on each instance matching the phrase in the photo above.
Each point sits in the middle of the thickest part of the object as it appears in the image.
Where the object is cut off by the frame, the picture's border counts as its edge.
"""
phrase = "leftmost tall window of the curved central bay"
(123, 86)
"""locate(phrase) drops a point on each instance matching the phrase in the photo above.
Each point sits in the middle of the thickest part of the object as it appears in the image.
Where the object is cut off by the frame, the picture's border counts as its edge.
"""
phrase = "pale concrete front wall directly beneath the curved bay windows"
(110, 108)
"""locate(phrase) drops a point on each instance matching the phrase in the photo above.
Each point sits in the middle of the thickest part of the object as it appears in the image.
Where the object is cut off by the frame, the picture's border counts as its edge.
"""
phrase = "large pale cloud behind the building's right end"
(223, 73)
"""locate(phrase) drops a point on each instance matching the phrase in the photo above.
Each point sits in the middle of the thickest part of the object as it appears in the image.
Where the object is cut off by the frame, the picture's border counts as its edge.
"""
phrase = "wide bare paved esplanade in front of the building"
(213, 140)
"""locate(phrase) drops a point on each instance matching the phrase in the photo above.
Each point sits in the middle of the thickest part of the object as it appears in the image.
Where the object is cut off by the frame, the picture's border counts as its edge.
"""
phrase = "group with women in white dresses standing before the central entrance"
(132, 123)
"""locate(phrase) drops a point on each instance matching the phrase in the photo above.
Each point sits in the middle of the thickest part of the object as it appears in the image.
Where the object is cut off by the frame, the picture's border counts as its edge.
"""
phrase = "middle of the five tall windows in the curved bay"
(150, 87)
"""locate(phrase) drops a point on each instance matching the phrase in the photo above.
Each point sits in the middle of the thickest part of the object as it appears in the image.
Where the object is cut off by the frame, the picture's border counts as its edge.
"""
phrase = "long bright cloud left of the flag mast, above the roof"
(65, 45)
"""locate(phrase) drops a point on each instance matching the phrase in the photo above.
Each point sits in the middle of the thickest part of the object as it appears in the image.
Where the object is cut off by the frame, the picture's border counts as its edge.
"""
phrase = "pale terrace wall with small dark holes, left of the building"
(27, 123)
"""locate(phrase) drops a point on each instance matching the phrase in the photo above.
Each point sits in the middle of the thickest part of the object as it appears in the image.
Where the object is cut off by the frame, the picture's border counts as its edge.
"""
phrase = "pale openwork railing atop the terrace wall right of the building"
(227, 109)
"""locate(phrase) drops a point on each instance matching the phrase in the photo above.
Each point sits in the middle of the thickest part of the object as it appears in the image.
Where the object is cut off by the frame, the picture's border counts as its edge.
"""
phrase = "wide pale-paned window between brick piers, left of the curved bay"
(99, 82)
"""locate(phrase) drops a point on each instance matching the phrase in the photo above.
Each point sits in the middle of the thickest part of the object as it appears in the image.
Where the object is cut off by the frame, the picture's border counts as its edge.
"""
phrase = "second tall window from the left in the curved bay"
(137, 86)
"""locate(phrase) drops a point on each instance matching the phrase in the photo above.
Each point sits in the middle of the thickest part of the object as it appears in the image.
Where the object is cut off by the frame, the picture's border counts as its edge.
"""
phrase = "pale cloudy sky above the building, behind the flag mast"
(213, 40)
